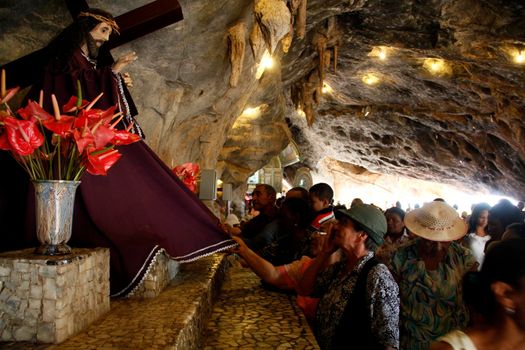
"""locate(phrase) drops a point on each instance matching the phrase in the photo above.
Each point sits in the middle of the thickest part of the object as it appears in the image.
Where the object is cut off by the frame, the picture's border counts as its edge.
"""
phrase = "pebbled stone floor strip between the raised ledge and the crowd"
(247, 316)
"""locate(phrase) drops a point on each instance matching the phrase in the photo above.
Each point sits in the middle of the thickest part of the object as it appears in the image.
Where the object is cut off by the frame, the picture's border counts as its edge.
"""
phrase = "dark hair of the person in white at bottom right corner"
(505, 262)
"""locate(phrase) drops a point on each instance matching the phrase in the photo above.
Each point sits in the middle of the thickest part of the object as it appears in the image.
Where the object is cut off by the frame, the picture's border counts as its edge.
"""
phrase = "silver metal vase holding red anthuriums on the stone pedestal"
(55, 200)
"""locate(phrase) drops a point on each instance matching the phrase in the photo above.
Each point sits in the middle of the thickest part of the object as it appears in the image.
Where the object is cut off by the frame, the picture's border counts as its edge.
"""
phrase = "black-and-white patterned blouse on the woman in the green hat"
(335, 290)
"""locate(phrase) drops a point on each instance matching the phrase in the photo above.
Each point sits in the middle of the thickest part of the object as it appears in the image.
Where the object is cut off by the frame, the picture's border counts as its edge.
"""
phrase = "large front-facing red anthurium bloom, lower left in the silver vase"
(23, 135)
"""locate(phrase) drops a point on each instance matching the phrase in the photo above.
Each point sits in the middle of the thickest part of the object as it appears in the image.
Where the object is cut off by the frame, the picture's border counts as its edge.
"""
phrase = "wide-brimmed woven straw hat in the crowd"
(436, 221)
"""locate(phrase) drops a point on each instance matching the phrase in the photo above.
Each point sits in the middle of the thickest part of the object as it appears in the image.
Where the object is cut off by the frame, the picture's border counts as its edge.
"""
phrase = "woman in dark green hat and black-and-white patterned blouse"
(359, 299)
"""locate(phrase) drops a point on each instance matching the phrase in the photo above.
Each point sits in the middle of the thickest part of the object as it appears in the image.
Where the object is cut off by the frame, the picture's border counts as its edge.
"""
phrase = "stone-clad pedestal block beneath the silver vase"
(46, 299)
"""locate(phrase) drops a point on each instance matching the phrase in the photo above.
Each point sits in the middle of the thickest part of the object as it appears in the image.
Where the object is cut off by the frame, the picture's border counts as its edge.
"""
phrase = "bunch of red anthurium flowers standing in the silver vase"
(62, 146)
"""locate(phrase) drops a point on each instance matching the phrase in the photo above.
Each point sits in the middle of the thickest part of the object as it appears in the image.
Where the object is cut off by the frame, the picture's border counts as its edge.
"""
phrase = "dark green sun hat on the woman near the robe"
(368, 216)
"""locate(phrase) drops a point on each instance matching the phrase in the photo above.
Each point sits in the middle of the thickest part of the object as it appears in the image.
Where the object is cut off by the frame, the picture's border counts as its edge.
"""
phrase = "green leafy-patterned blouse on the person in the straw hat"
(431, 300)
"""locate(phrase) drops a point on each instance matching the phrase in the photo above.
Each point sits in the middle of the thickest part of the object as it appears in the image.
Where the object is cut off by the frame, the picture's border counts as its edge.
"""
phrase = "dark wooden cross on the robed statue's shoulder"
(133, 24)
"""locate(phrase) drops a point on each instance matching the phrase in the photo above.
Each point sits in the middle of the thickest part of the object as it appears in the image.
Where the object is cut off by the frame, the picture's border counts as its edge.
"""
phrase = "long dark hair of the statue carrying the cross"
(61, 48)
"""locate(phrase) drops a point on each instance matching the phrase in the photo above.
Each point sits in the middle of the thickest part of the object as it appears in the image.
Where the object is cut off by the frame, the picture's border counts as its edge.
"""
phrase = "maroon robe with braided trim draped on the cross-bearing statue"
(139, 209)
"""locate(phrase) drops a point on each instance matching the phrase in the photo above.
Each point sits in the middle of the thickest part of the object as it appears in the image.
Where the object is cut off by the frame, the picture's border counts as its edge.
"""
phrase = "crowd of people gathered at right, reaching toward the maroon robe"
(427, 278)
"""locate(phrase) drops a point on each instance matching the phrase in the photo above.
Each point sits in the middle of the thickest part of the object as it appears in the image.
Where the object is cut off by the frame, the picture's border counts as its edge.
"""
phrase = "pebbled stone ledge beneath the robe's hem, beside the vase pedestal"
(173, 320)
